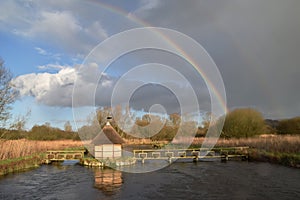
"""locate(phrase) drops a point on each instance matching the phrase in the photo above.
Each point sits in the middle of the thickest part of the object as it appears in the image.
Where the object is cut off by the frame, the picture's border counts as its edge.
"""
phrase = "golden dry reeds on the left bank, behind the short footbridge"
(10, 149)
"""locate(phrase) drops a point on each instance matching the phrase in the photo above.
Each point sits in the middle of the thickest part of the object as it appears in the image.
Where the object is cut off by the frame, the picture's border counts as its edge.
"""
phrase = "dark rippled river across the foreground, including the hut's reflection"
(203, 180)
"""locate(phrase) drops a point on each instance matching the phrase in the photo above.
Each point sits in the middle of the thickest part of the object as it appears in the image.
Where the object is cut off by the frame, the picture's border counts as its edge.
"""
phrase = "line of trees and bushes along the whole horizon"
(239, 123)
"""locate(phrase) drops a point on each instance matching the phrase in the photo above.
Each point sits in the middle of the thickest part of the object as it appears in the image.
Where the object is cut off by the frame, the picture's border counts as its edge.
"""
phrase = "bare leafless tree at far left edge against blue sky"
(8, 93)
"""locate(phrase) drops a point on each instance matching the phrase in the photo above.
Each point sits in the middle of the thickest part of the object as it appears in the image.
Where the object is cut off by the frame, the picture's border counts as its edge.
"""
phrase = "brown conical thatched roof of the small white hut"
(108, 135)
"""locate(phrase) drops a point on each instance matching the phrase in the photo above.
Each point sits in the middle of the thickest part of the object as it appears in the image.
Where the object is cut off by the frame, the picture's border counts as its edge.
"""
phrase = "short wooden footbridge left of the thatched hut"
(62, 155)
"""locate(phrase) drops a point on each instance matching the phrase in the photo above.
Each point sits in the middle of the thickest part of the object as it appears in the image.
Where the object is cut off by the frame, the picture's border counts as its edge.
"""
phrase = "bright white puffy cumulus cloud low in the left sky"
(57, 89)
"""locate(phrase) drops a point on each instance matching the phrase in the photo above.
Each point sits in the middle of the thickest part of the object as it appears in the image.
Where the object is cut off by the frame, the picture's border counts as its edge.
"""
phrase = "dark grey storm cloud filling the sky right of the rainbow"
(254, 44)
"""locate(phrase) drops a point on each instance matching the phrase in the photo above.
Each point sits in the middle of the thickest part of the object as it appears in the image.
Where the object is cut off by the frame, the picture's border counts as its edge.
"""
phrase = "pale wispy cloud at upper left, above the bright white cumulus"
(64, 30)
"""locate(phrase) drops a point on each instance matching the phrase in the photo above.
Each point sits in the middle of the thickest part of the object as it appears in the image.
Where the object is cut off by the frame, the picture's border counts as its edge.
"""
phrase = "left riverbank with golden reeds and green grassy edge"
(18, 155)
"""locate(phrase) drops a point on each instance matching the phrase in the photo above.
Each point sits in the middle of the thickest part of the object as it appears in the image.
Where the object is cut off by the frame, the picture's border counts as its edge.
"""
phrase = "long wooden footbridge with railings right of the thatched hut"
(170, 155)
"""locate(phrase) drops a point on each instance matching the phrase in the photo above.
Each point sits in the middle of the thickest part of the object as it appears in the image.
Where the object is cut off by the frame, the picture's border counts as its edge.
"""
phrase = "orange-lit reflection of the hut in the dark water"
(109, 181)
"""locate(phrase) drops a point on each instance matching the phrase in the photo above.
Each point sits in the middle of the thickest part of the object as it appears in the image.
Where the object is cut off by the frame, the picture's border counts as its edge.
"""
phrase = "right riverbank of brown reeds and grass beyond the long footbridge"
(278, 149)
